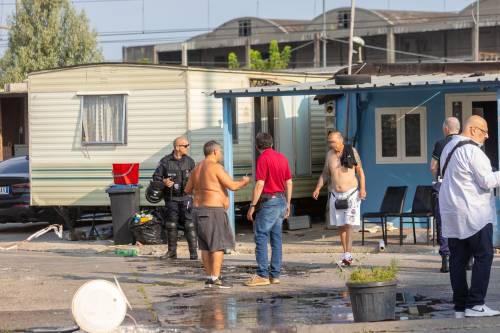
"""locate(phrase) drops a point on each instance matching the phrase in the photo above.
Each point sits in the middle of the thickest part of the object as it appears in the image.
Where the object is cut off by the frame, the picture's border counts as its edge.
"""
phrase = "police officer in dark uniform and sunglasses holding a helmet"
(174, 170)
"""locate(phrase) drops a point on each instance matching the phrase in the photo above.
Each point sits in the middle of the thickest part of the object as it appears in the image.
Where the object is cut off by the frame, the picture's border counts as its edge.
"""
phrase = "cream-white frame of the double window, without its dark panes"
(401, 158)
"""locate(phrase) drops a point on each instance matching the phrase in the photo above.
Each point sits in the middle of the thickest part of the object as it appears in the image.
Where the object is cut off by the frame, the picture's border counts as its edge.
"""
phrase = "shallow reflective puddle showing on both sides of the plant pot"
(211, 309)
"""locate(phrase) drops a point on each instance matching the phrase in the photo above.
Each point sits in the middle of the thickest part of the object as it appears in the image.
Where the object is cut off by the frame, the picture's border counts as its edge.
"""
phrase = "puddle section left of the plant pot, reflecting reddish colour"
(216, 311)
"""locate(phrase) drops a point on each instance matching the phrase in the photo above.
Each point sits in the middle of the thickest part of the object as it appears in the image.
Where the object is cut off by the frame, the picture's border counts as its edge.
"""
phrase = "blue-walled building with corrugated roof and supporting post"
(394, 120)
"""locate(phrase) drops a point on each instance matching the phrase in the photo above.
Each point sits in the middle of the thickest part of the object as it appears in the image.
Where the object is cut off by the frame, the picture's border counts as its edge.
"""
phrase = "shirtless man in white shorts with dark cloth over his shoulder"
(341, 167)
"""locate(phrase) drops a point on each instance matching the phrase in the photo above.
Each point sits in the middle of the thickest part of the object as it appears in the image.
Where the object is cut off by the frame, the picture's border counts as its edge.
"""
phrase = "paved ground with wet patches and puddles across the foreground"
(37, 286)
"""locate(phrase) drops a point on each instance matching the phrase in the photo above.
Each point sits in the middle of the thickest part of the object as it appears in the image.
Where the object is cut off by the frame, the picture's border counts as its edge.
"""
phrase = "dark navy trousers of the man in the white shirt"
(479, 246)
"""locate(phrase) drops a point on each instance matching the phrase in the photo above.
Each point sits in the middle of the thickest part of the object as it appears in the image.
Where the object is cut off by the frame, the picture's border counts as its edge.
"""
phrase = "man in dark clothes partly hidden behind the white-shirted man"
(451, 127)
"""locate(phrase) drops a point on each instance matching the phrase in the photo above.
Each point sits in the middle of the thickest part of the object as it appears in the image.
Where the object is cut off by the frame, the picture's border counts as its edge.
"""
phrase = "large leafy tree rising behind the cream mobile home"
(47, 34)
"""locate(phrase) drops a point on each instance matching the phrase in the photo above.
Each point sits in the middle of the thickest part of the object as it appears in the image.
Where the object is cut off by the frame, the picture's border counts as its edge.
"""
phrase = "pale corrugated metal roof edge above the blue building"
(377, 83)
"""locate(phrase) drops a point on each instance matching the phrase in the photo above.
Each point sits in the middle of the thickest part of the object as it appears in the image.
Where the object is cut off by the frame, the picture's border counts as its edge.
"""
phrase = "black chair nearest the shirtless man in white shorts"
(392, 205)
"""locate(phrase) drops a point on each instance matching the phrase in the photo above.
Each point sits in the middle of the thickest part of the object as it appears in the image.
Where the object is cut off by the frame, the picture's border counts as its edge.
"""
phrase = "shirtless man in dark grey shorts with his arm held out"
(209, 183)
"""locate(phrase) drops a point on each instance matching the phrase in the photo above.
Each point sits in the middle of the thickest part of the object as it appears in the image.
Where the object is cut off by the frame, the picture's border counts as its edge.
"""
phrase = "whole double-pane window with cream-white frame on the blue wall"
(401, 135)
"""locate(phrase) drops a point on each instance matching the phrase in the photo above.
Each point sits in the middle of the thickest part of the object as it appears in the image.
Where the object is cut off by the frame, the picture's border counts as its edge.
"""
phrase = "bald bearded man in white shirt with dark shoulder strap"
(468, 213)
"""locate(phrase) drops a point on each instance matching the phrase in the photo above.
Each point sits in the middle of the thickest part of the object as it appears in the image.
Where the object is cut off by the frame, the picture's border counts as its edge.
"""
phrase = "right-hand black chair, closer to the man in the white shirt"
(421, 208)
